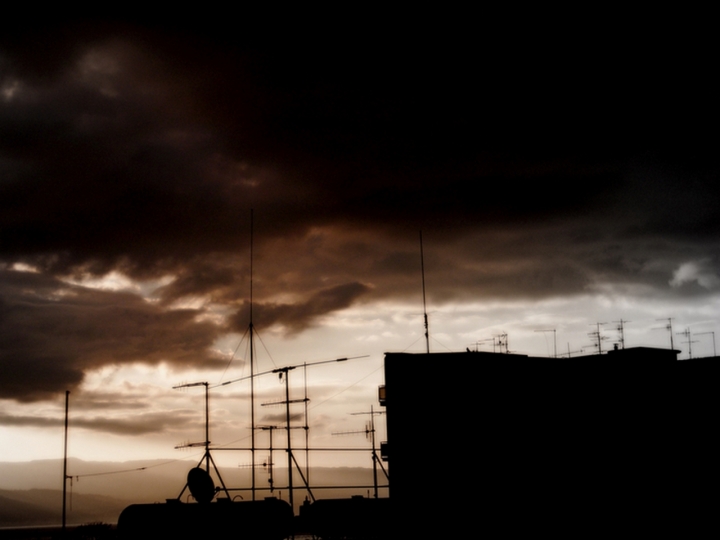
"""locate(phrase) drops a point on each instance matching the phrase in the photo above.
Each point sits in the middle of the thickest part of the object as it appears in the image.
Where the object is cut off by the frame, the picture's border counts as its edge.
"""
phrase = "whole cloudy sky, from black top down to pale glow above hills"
(558, 183)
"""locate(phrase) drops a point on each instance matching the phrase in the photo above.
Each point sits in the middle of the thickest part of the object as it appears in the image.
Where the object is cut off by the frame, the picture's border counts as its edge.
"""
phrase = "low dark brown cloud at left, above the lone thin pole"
(53, 332)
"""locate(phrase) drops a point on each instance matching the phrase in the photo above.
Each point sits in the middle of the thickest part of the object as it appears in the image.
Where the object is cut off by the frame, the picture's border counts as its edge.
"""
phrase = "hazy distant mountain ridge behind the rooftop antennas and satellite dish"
(31, 492)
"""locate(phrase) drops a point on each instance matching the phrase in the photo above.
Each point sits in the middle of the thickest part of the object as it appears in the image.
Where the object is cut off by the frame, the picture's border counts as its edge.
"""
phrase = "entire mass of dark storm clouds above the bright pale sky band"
(533, 169)
